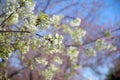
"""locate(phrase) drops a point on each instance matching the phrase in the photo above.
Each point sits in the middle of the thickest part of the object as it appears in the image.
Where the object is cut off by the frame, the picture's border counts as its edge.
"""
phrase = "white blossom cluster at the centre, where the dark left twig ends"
(54, 43)
